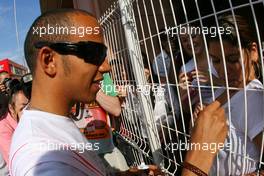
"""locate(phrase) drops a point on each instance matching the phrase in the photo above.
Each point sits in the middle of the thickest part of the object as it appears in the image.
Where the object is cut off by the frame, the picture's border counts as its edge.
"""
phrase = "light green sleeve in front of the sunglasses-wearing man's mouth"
(108, 86)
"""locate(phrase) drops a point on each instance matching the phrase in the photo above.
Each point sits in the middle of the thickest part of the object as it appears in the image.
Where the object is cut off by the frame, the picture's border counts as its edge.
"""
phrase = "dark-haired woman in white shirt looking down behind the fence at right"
(246, 98)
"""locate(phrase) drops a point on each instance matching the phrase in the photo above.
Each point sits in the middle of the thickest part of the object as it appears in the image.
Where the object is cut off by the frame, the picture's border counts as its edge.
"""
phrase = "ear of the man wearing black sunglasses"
(48, 61)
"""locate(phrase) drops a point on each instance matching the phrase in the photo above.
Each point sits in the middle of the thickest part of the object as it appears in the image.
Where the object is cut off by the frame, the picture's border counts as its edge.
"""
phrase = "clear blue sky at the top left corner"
(26, 12)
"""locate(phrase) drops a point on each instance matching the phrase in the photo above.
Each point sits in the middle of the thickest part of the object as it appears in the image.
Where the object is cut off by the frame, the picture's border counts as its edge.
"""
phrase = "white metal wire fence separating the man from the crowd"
(218, 46)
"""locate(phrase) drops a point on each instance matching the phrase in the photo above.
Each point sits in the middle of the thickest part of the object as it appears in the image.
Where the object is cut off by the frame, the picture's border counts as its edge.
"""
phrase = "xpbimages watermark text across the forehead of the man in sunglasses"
(79, 31)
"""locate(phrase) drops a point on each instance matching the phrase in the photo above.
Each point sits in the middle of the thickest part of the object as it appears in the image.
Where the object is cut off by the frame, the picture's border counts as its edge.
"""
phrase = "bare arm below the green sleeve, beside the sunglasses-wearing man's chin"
(109, 103)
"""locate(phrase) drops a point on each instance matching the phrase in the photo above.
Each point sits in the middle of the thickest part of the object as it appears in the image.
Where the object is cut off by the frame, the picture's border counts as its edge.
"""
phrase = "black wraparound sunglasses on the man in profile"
(90, 52)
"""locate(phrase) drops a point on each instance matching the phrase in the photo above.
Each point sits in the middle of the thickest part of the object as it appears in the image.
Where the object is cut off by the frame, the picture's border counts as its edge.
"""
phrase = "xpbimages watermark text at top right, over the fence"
(196, 30)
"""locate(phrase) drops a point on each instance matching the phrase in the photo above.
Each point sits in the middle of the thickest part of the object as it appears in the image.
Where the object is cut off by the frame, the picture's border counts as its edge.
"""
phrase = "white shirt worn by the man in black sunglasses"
(46, 144)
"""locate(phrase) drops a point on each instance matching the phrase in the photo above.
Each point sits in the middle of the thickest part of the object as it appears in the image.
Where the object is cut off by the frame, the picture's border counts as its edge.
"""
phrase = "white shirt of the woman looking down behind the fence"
(236, 137)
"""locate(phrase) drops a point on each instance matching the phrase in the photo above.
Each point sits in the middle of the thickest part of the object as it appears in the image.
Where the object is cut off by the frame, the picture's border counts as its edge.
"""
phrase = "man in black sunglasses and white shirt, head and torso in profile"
(66, 69)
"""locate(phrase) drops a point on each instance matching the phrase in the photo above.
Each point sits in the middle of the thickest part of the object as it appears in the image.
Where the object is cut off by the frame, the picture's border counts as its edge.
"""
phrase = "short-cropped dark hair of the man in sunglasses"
(58, 17)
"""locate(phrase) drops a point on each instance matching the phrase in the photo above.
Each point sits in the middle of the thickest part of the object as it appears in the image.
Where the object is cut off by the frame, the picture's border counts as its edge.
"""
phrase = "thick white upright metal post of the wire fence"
(135, 56)
